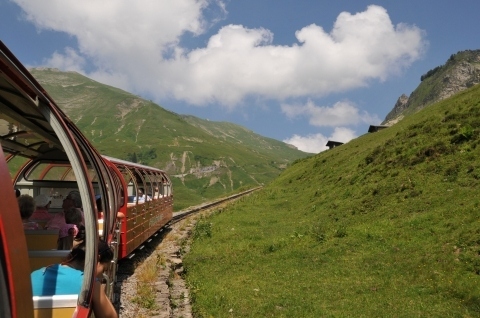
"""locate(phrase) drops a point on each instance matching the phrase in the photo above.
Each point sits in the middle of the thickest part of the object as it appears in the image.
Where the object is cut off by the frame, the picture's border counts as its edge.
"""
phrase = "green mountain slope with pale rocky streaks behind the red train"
(205, 159)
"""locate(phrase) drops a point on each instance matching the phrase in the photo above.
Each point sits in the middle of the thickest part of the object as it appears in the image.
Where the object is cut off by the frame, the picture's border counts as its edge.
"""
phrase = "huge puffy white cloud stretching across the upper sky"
(137, 44)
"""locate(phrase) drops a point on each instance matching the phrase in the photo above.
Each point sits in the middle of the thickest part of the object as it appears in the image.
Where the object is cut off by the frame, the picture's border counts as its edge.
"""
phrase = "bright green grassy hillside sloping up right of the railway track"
(386, 225)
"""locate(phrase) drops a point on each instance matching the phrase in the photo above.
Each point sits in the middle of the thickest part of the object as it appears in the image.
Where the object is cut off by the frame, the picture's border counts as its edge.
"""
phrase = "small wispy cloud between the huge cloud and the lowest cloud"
(340, 114)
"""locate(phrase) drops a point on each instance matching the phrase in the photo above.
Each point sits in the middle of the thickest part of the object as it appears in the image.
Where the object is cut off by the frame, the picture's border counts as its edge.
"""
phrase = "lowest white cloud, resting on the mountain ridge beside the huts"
(316, 143)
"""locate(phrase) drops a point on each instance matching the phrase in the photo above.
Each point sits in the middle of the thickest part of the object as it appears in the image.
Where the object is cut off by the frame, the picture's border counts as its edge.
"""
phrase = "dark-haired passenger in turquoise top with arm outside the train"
(66, 278)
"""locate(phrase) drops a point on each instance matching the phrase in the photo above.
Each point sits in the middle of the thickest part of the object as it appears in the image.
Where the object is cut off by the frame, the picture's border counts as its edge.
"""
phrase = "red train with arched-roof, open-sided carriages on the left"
(51, 156)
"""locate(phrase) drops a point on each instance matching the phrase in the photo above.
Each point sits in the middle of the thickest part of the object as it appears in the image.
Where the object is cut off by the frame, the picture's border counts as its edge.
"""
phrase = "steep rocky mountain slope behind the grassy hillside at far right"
(461, 71)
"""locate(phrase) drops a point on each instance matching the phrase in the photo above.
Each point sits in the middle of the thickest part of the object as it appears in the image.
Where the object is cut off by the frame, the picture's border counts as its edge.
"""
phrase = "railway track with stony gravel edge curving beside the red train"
(172, 295)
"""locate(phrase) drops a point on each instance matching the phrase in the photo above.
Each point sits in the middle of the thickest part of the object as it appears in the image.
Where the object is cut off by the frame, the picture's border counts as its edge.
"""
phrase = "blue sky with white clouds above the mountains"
(304, 71)
